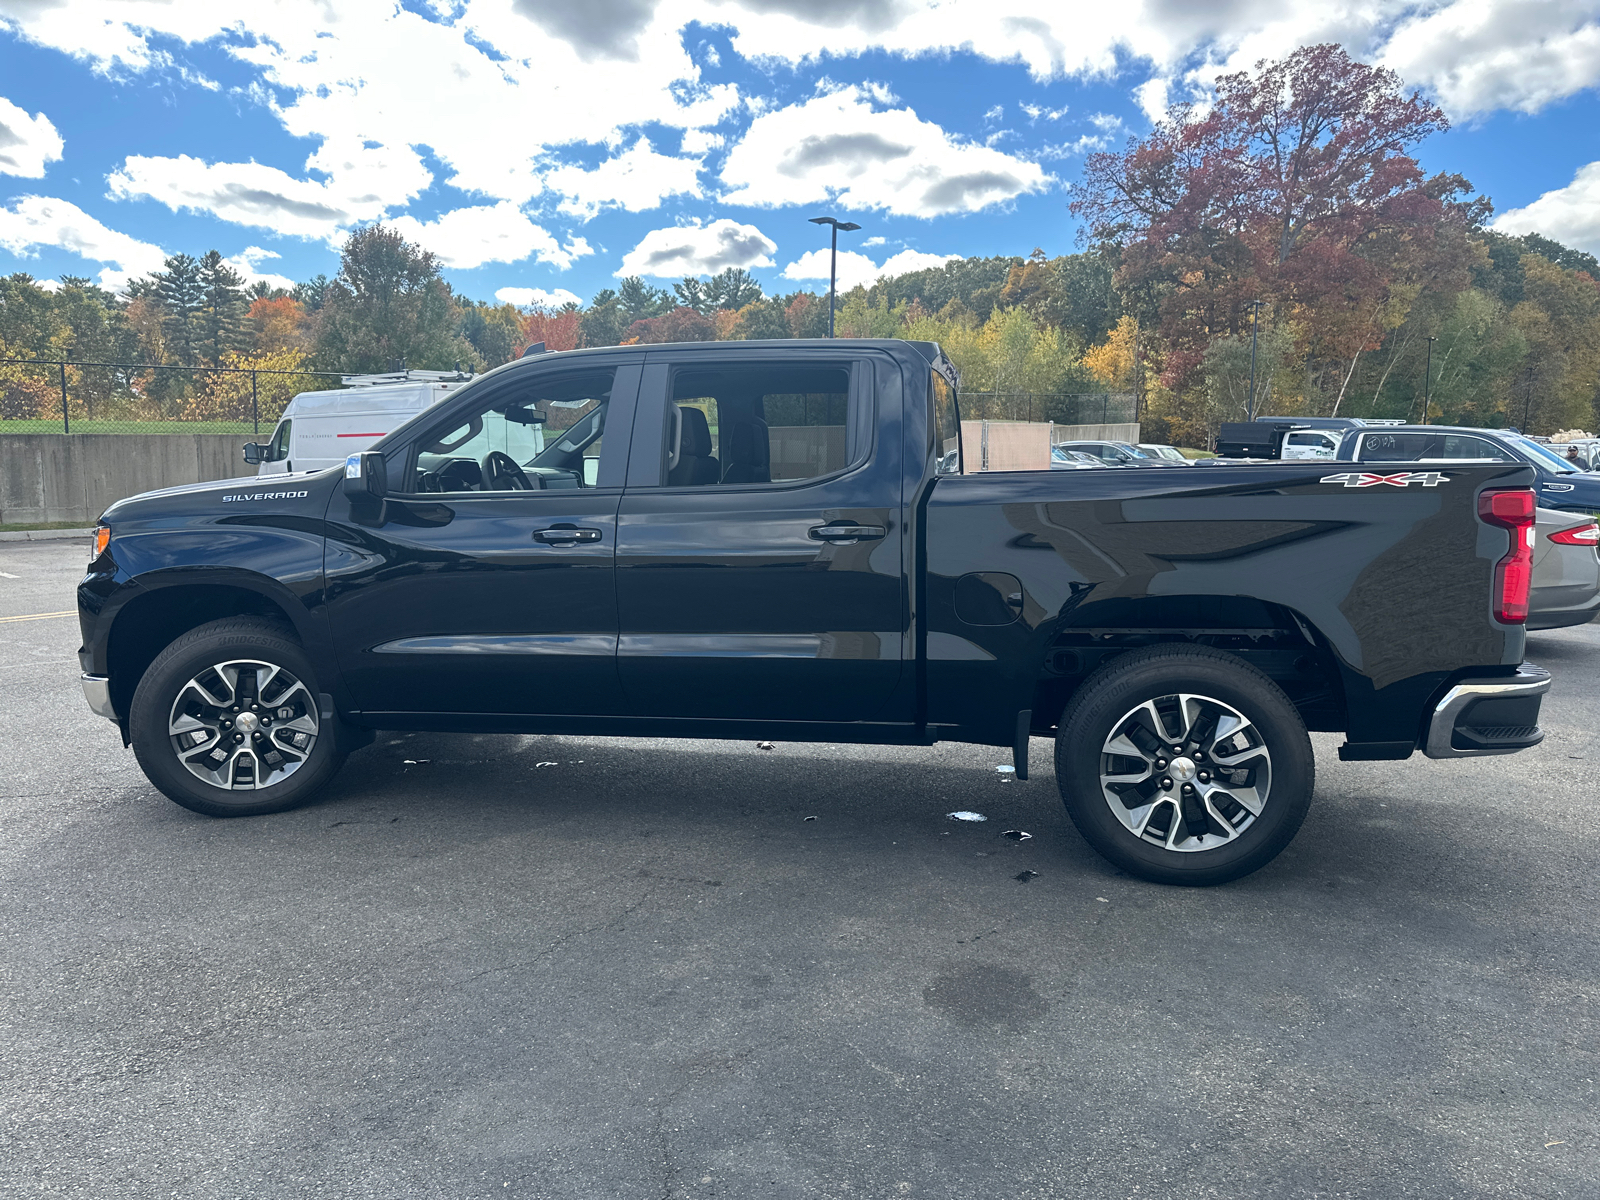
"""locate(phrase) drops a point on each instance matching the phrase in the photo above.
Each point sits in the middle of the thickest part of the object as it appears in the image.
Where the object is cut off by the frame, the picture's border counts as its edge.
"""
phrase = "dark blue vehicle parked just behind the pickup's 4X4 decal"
(1558, 482)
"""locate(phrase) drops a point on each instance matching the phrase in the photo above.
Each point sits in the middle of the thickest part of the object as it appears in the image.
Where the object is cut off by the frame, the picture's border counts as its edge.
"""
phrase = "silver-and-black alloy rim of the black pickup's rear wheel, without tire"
(1186, 772)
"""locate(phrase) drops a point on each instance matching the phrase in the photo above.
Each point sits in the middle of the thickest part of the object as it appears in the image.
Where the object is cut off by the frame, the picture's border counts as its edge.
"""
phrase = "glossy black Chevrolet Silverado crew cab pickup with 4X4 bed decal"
(777, 540)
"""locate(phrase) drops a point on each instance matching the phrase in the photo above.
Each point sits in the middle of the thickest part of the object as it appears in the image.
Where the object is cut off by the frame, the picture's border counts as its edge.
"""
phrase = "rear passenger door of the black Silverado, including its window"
(759, 542)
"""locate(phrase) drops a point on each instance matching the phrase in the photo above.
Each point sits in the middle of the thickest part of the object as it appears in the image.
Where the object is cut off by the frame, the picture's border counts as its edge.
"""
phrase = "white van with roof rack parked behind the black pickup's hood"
(321, 430)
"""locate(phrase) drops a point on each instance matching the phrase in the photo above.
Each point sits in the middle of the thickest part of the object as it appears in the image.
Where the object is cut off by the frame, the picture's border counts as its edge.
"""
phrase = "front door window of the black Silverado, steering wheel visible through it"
(543, 438)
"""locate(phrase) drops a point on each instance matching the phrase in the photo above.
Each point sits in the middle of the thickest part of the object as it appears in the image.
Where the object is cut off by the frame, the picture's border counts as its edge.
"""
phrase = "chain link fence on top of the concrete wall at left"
(47, 396)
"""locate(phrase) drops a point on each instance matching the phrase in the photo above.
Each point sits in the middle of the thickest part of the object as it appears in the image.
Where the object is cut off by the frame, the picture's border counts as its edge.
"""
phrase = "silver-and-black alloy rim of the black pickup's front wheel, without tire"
(244, 726)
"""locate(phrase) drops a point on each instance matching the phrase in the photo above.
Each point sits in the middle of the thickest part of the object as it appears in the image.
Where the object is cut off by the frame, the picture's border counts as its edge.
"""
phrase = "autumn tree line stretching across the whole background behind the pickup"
(1287, 218)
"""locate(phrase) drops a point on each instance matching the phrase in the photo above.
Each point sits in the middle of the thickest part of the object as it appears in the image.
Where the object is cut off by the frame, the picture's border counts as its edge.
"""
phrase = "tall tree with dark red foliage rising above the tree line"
(1297, 188)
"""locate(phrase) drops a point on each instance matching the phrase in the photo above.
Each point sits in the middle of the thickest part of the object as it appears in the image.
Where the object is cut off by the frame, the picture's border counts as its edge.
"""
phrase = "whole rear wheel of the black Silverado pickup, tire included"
(1274, 742)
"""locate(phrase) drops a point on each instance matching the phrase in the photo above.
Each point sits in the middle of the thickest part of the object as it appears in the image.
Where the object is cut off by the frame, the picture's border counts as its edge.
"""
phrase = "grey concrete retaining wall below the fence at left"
(76, 478)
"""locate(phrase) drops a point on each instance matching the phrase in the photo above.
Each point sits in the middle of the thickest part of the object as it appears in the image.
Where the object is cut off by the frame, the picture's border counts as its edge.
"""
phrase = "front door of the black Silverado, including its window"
(486, 582)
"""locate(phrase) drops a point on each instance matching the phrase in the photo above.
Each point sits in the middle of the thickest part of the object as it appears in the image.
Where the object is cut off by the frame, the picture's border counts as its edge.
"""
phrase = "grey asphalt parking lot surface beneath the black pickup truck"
(564, 967)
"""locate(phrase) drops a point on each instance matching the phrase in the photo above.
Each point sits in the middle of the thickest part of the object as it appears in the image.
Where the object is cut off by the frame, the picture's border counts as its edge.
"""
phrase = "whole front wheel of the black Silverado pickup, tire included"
(169, 679)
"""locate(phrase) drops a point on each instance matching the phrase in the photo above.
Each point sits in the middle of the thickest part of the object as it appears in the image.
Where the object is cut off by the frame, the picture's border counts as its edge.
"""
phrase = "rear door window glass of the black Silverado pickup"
(778, 423)
